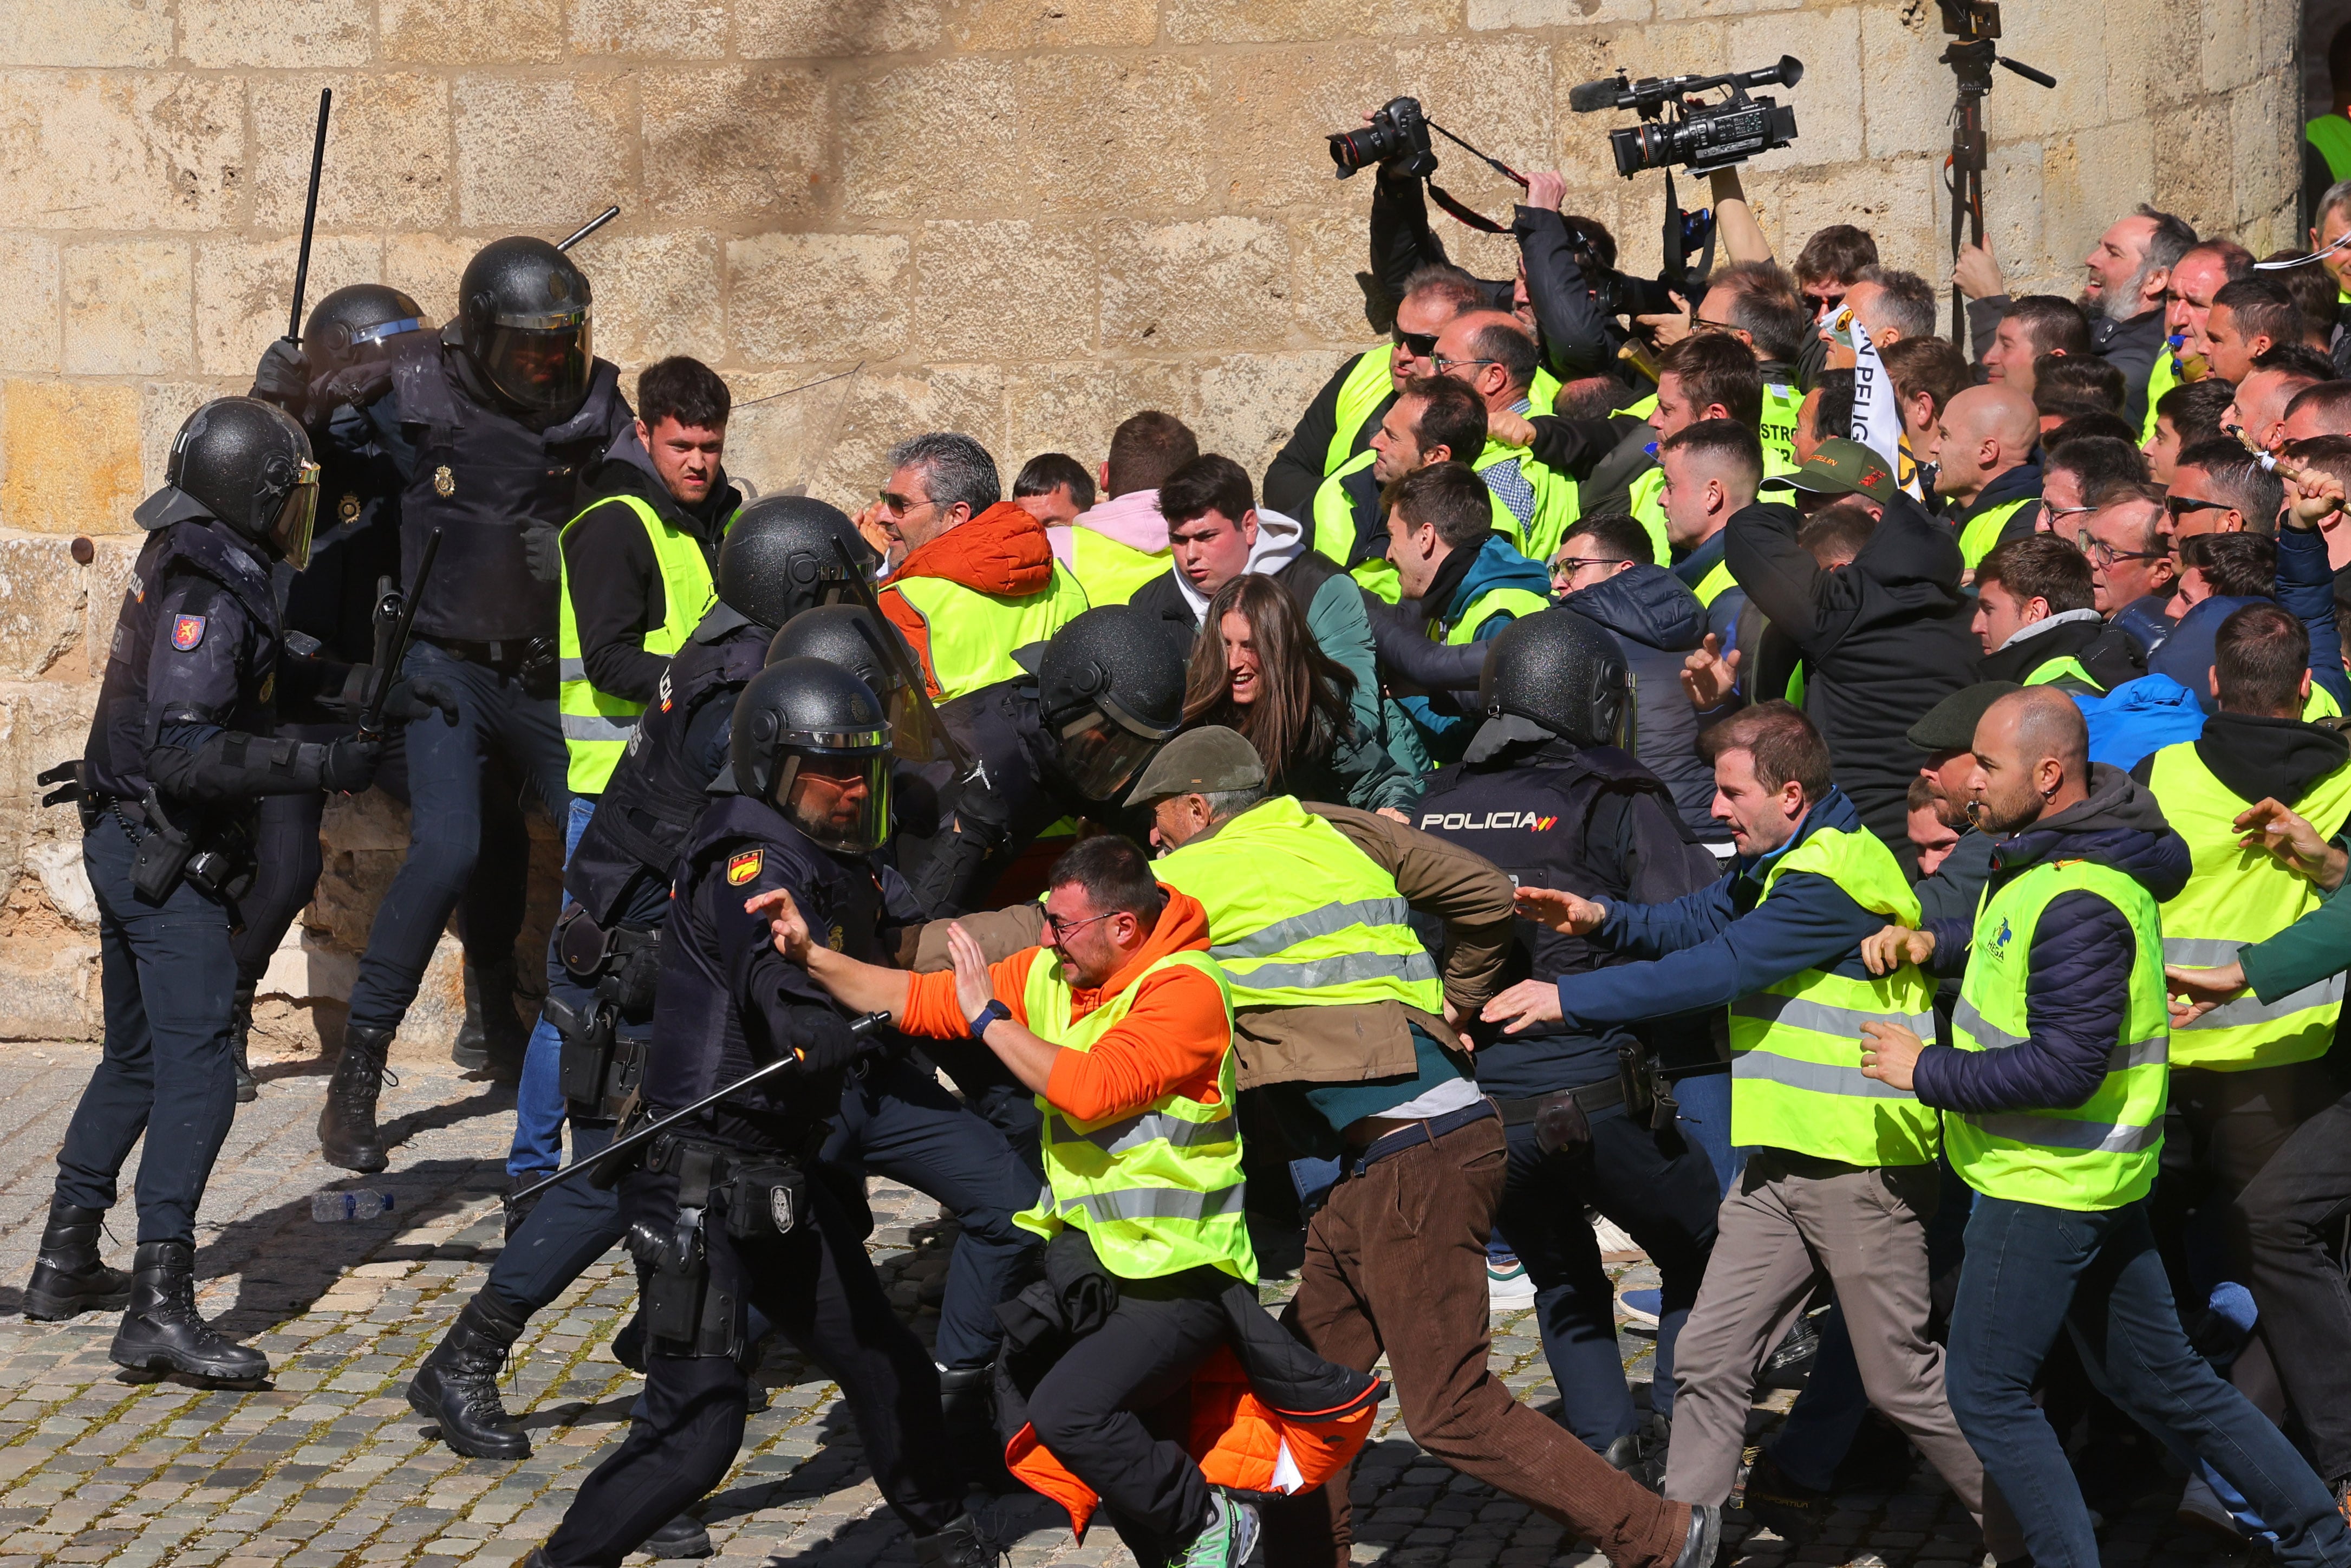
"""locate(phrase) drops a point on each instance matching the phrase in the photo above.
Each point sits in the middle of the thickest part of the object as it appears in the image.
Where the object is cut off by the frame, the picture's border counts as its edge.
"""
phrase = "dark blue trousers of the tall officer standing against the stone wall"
(446, 819)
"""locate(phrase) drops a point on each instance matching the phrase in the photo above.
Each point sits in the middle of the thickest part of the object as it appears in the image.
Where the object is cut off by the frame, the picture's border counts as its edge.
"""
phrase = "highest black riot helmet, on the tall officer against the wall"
(523, 319)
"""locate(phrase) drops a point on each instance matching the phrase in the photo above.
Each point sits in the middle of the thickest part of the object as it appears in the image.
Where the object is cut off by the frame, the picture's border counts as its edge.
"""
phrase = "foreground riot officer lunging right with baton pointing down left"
(739, 1214)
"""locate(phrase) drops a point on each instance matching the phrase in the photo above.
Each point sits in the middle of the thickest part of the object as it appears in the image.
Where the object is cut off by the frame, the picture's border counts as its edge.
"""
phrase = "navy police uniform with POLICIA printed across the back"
(1598, 824)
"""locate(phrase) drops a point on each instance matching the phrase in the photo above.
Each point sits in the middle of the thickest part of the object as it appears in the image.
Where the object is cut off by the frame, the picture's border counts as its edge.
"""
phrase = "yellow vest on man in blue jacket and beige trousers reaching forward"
(1797, 1047)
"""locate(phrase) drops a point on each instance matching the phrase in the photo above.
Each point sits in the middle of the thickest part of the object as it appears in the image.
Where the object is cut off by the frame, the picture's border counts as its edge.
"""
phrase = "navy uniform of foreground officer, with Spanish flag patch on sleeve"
(728, 1005)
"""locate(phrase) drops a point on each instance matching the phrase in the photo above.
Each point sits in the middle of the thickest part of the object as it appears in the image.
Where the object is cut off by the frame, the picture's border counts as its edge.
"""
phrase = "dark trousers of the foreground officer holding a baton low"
(822, 1292)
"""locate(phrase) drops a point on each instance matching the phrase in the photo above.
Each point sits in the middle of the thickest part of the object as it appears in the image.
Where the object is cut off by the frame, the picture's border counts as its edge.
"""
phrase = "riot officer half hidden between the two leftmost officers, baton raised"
(349, 351)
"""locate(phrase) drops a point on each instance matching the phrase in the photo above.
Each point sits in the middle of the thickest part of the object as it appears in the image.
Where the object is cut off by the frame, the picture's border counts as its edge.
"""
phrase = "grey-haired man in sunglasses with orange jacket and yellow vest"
(977, 579)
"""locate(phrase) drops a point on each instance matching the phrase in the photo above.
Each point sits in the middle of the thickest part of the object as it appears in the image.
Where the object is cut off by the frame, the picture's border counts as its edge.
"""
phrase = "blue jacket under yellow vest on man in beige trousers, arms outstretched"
(1715, 946)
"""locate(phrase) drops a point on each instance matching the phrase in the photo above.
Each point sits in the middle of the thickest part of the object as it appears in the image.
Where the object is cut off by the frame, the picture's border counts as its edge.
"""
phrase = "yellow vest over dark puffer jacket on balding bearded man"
(2094, 1155)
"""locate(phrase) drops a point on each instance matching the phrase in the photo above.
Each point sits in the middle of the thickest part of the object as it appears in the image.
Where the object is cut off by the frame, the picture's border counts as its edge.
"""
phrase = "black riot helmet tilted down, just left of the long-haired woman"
(1111, 688)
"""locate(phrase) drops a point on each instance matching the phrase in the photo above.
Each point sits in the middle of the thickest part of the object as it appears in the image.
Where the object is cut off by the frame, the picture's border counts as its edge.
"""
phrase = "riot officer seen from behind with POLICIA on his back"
(1553, 796)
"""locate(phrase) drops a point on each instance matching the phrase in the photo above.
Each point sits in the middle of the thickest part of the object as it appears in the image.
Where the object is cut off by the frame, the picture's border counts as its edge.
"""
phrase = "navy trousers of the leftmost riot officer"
(168, 981)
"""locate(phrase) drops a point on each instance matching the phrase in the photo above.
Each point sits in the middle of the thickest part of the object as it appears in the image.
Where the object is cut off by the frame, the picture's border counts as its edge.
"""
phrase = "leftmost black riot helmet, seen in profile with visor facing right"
(248, 464)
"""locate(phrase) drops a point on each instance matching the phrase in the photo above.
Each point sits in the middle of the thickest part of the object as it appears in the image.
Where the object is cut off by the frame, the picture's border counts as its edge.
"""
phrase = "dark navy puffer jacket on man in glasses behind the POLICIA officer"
(1659, 622)
